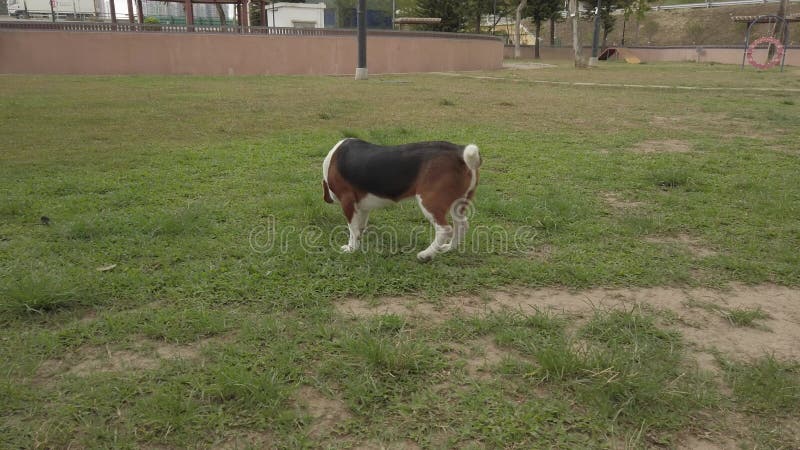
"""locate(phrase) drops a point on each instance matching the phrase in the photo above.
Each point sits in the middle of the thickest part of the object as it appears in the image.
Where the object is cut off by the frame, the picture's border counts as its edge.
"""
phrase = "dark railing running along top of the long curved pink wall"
(230, 29)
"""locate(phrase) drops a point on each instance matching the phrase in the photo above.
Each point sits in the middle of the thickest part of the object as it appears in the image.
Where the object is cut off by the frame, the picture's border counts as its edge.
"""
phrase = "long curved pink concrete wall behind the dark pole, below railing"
(64, 52)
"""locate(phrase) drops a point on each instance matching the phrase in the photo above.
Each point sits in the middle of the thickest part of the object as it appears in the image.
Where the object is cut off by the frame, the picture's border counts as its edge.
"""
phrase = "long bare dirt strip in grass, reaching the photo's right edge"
(704, 329)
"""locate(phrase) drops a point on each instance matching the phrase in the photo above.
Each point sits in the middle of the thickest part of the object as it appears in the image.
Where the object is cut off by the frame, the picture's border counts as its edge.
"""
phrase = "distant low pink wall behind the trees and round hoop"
(655, 54)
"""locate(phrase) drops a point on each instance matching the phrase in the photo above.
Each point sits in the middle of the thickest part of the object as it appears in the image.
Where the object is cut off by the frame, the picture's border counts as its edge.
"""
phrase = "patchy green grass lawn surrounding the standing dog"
(188, 290)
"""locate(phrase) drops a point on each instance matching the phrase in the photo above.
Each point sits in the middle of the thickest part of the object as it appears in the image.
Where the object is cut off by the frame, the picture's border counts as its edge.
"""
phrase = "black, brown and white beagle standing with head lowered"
(442, 176)
